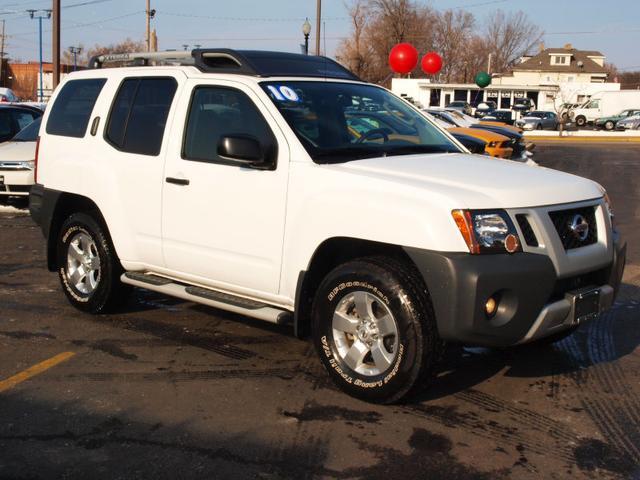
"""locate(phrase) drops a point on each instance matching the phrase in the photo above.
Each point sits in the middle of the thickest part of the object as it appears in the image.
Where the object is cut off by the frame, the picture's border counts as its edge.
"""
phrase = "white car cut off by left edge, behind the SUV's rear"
(17, 158)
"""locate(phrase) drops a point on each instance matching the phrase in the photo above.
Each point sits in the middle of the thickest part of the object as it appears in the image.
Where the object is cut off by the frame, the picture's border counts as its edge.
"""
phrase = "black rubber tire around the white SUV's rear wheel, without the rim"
(108, 292)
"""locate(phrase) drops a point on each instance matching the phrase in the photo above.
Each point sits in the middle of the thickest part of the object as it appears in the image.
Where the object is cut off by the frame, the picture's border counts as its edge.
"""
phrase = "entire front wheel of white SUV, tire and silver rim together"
(374, 329)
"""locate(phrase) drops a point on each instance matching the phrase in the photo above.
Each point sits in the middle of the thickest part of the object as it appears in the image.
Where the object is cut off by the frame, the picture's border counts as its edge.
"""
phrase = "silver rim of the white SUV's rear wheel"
(83, 263)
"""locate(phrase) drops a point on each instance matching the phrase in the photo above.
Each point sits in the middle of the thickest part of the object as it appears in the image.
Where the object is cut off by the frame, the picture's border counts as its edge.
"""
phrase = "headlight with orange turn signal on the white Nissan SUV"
(487, 231)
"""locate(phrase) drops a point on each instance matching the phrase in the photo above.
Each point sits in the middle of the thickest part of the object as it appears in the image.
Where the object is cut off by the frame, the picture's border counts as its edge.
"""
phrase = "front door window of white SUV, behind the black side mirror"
(216, 112)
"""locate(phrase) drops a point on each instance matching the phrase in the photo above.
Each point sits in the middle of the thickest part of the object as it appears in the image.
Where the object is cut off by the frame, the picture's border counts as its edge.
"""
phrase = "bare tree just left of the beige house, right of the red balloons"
(508, 37)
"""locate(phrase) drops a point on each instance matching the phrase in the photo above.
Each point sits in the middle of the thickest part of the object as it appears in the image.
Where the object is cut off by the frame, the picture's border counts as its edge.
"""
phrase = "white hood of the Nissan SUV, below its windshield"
(476, 181)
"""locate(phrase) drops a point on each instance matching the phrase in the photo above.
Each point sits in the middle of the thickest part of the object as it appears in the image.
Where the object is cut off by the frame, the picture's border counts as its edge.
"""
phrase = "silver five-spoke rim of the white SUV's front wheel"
(365, 333)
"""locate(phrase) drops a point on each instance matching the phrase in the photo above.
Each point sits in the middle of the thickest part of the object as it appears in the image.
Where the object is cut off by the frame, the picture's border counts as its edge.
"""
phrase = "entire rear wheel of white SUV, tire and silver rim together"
(88, 267)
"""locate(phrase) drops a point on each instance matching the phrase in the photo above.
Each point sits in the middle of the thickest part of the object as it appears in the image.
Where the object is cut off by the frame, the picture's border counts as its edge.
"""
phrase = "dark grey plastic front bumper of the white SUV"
(533, 301)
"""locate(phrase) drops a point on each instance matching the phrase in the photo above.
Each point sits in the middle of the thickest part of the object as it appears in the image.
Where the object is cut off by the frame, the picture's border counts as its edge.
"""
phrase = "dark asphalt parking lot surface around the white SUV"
(169, 389)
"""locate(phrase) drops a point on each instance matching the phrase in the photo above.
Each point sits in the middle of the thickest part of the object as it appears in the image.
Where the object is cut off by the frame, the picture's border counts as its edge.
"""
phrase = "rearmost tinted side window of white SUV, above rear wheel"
(72, 109)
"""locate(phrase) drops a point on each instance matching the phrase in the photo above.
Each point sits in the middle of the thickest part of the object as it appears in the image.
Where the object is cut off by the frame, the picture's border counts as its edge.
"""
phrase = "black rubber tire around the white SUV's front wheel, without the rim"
(418, 347)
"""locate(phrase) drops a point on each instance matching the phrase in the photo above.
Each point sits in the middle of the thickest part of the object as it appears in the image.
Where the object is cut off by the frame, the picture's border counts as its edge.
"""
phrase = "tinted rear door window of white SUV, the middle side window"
(139, 114)
